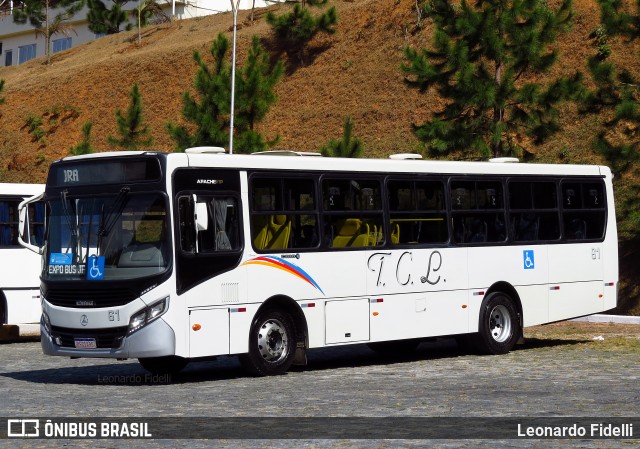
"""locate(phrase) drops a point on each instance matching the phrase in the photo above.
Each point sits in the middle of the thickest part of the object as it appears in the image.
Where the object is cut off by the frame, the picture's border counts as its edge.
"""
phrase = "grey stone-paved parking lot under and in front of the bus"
(543, 378)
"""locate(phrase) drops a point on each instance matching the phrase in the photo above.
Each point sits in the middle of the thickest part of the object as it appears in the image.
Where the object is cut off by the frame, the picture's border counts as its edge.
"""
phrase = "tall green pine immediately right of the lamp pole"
(254, 96)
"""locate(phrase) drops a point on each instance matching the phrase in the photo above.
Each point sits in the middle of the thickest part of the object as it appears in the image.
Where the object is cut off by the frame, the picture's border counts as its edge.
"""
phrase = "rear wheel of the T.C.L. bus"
(499, 328)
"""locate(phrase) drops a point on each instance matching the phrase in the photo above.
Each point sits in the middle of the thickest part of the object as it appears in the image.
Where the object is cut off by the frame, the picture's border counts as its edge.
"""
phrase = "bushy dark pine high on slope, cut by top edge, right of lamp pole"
(295, 29)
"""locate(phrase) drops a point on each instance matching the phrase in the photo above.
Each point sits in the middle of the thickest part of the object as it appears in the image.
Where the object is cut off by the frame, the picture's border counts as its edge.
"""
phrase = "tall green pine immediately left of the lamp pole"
(210, 114)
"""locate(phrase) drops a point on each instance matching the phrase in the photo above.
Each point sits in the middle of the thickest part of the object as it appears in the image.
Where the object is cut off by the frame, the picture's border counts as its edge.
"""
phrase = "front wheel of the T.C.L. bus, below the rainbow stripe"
(272, 344)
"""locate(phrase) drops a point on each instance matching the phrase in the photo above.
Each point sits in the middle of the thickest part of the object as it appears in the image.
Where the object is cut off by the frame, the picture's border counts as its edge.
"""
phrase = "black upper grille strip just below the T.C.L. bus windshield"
(89, 298)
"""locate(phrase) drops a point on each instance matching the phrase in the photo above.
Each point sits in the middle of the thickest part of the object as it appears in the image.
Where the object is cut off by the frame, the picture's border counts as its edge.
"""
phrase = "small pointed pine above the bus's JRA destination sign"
(133, 134)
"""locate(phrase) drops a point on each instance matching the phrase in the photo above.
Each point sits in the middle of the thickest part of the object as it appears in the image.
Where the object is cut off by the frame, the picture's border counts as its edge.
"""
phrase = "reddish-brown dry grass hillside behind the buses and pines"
(354, 72)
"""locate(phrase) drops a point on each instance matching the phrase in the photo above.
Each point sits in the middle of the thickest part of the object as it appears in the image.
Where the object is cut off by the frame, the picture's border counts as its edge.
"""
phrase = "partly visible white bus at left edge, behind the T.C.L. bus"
(19, 268)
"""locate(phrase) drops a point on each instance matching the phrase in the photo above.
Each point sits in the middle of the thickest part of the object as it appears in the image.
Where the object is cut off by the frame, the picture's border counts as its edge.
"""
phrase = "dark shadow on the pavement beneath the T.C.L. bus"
(228, 368)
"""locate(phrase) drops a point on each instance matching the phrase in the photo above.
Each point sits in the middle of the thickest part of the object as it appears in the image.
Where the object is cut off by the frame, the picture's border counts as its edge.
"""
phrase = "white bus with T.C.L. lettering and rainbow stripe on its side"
(174, 257)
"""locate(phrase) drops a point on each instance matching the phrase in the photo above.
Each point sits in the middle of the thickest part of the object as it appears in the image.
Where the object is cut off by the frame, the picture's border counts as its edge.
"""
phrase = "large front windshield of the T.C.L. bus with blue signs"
(107, 237)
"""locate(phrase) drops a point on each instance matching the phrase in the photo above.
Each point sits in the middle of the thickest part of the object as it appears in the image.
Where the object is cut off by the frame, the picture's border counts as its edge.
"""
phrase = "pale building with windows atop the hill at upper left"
(19, 43)
